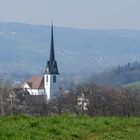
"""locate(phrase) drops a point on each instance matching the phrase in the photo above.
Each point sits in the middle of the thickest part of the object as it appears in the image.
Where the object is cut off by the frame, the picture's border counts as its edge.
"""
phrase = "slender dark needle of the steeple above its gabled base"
(52, 55)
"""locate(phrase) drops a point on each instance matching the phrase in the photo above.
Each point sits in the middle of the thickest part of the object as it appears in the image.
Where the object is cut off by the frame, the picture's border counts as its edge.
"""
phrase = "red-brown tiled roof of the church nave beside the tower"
(36, 82)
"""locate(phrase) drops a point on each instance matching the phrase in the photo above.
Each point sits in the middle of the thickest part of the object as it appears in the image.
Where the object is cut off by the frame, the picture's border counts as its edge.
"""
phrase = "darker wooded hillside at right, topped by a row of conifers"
(127, 75)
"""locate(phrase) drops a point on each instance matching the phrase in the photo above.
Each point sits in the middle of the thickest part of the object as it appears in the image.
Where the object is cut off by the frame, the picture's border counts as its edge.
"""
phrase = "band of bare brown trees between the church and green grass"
(88, 99)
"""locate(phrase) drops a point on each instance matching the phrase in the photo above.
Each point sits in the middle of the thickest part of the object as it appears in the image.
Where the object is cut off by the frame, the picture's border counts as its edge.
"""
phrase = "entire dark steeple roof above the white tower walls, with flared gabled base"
(51, 67)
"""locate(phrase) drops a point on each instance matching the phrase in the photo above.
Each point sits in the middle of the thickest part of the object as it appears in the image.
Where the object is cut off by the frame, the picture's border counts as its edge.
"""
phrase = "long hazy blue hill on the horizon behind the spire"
(24, 49)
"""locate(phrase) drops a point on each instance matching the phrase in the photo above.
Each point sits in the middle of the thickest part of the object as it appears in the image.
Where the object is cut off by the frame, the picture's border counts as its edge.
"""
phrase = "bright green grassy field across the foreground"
(68, 127)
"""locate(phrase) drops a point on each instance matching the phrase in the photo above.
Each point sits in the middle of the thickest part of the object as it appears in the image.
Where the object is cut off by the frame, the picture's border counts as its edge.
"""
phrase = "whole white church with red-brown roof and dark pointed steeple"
(48, 83)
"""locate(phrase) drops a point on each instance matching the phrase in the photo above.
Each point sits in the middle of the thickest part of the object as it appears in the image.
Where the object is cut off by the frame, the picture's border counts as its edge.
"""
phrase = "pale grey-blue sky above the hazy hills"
(91, 14)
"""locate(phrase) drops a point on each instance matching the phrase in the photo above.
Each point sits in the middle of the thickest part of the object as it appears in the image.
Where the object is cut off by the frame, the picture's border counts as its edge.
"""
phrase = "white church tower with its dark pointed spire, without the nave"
(51, 72)
